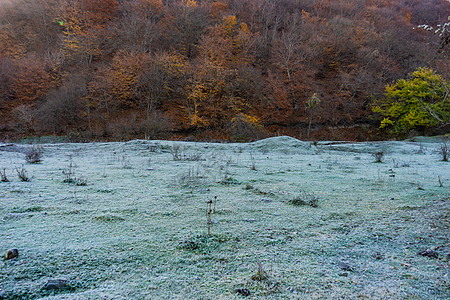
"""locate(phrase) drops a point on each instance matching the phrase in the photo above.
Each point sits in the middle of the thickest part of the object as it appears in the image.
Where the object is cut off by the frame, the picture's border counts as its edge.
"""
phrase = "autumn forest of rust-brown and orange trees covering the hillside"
(233, 70)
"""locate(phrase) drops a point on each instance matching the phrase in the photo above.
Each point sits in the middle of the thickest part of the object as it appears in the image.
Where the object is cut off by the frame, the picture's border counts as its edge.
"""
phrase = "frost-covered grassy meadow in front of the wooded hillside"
(129, 220)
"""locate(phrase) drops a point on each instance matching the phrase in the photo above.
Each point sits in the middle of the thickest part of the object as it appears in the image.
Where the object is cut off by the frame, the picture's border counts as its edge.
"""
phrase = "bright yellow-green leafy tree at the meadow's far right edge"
(418, 102)
